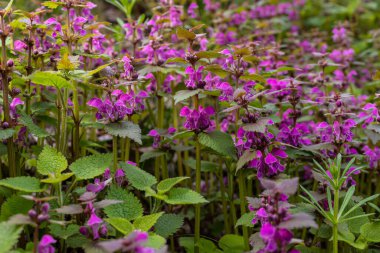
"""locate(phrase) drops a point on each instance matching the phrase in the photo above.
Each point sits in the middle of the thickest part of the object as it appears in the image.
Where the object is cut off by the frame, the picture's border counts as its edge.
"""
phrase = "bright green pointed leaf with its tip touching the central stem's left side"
(184, 196)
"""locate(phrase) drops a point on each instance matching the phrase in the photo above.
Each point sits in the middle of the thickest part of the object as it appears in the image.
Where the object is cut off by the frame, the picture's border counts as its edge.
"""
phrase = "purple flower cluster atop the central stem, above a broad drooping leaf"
(198, 120)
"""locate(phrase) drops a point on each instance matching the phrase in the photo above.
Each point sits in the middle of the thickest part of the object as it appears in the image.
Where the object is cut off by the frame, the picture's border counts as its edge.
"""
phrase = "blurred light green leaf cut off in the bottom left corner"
(9, 234)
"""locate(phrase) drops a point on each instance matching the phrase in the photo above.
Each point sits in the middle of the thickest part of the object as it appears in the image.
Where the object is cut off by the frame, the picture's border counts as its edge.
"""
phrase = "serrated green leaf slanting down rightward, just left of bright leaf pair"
(139, 179)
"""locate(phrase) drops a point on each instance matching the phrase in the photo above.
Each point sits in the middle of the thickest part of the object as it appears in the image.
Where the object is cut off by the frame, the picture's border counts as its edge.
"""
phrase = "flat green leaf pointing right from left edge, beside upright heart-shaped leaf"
(24, 184)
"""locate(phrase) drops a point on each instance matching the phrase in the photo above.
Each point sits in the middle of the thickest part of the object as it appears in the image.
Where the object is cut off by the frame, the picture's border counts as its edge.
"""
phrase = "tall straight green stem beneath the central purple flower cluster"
(198, 189)
